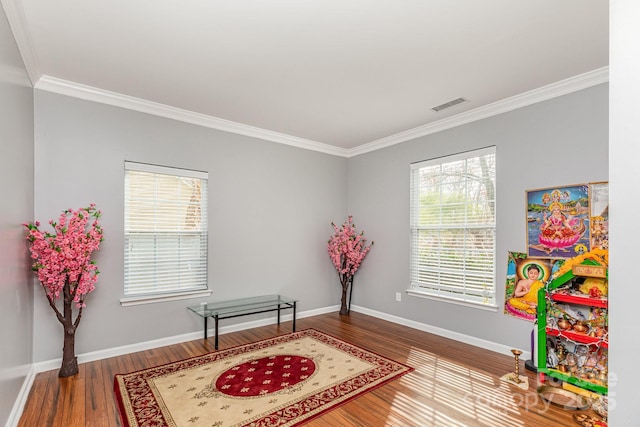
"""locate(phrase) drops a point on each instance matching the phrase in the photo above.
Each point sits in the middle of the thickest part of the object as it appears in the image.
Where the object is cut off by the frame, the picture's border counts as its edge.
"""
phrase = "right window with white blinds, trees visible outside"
(453, 228)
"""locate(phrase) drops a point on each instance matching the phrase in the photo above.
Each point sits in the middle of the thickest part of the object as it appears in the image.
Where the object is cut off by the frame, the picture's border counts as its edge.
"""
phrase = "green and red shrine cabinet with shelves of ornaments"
(572, 315)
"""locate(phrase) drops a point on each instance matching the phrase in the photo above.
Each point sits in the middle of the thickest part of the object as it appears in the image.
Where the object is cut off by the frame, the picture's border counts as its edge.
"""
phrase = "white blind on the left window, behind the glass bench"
(165, 227)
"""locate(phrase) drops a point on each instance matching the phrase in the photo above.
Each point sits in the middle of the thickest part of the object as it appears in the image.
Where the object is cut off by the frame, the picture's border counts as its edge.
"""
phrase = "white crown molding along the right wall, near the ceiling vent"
(554, 90)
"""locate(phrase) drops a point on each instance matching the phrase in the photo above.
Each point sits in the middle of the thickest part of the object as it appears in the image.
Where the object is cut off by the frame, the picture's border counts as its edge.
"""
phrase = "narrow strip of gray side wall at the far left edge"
(16, 191)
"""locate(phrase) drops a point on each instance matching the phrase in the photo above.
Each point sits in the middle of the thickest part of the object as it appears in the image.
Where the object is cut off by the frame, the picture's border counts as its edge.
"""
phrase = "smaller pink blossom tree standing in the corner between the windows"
(347, 249)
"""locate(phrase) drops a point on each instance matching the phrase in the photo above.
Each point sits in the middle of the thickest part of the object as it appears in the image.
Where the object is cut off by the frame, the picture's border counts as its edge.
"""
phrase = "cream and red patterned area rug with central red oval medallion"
(282, 381)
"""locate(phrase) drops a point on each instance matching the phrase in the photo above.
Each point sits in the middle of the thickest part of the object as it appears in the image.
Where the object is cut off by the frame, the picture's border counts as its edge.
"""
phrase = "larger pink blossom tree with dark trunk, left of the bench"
(62, 261)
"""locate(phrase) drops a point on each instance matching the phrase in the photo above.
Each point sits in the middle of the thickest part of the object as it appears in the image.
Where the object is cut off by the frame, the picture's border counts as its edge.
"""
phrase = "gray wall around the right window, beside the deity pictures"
(557, 142)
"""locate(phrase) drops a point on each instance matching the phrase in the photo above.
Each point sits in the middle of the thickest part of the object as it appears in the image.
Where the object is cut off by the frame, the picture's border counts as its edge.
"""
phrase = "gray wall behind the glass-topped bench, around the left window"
(270, 209)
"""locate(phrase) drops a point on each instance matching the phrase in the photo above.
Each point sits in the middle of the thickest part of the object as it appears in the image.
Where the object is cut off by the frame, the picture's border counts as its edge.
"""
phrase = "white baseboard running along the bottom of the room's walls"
(48, 365)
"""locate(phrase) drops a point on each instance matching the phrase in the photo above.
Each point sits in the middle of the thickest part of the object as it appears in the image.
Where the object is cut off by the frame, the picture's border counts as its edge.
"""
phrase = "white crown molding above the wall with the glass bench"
(89, 93)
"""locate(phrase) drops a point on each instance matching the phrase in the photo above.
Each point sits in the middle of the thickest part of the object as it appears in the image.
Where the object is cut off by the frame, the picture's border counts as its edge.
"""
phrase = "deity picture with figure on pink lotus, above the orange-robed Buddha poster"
(558, 221)
